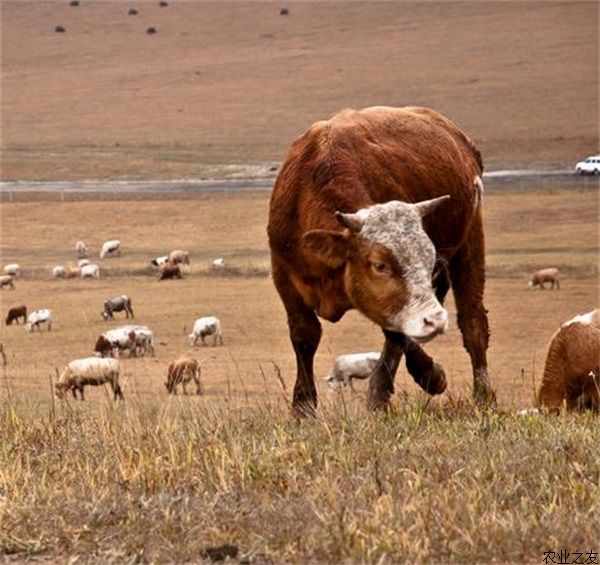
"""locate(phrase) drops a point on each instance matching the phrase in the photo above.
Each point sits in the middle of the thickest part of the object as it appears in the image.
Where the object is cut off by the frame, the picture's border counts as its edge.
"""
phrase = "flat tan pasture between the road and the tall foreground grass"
(525, 230)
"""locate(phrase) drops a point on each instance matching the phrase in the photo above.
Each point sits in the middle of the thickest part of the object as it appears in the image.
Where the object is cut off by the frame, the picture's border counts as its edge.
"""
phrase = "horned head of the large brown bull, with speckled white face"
(388, 262)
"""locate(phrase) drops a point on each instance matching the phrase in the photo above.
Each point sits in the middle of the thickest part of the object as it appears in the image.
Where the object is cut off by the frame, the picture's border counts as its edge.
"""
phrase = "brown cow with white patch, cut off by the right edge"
(572, 368)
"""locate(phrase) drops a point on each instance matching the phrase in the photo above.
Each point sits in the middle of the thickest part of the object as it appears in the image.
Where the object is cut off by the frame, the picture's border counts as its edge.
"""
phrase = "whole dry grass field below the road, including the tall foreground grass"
(165, 479)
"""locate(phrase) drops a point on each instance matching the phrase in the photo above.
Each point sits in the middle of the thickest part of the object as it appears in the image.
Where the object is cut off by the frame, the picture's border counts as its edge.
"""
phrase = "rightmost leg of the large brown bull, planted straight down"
(467, 275)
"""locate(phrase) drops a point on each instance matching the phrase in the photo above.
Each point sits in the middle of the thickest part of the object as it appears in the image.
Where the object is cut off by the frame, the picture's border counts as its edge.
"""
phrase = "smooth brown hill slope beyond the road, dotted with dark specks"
(235, 82)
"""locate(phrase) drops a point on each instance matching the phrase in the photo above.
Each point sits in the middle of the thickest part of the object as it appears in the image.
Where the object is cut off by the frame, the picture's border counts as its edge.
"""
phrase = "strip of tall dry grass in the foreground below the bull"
(164, 482)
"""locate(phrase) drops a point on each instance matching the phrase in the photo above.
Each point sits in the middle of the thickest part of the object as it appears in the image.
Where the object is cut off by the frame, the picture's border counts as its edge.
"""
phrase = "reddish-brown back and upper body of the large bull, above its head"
(360, 158)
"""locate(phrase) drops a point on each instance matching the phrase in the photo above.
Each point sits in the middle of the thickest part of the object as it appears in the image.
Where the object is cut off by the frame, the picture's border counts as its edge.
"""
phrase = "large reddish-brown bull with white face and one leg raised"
(380, 210)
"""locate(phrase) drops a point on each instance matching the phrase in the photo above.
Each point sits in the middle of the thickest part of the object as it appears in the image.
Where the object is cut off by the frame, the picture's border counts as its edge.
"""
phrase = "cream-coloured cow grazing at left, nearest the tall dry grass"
(89, 371)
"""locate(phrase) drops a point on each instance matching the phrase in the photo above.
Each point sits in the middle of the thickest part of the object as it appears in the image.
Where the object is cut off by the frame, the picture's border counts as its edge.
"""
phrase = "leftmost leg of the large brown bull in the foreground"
(305, 334)
